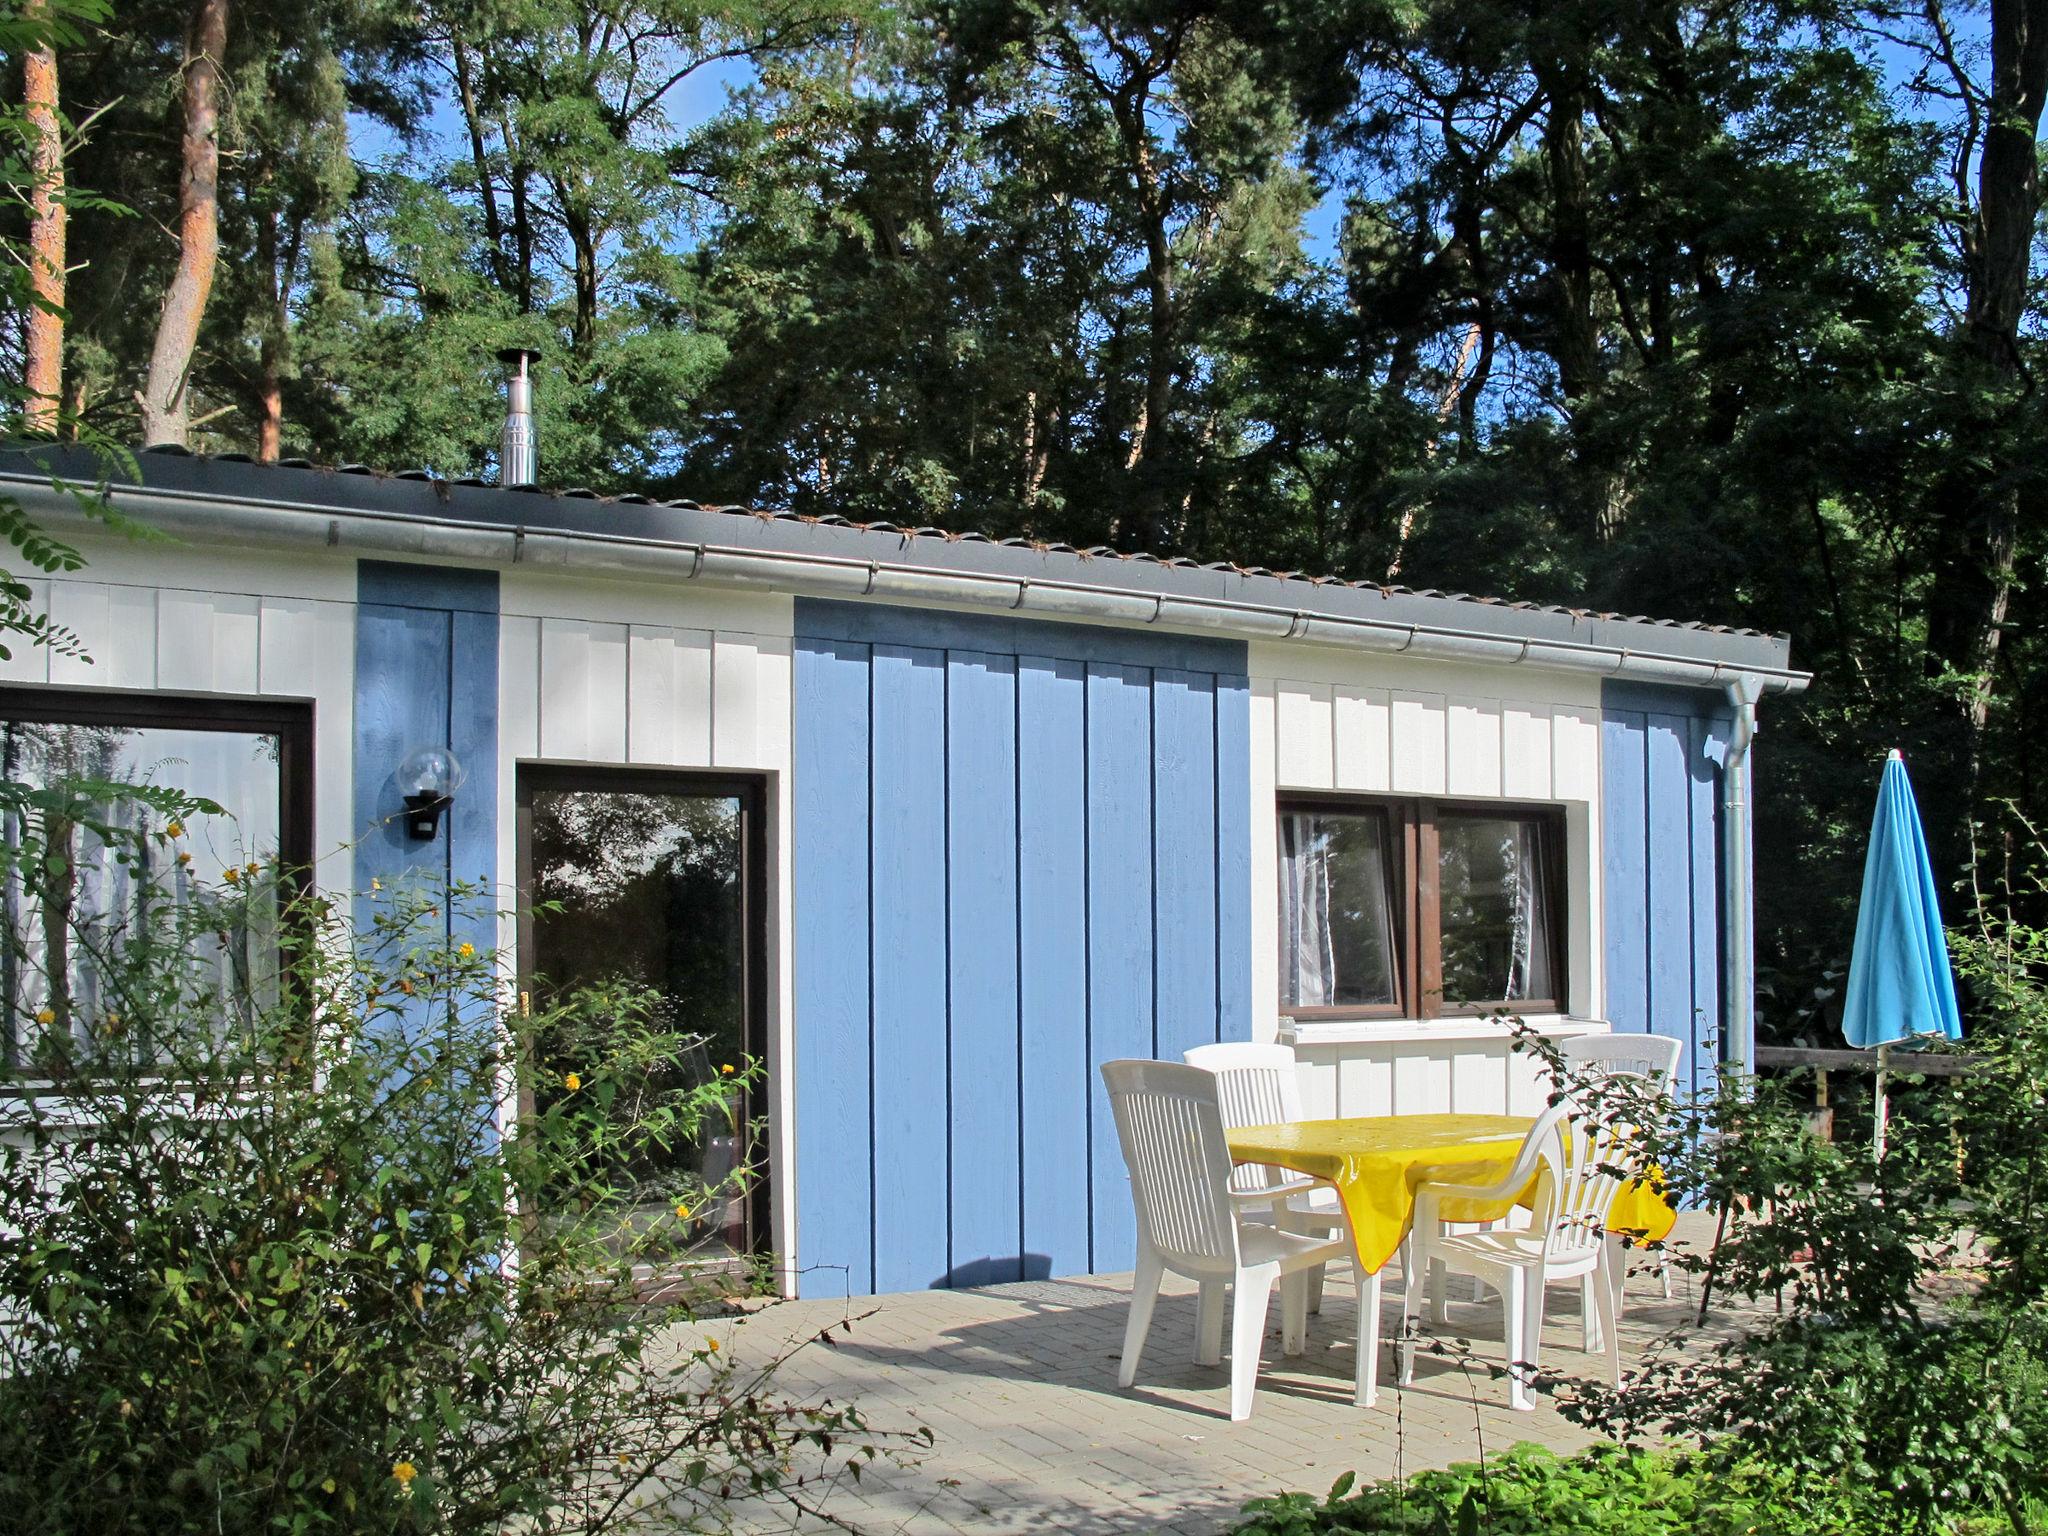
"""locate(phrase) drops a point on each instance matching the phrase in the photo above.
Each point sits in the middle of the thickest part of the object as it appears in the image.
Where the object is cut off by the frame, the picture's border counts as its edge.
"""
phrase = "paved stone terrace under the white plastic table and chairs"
(1019, 1385)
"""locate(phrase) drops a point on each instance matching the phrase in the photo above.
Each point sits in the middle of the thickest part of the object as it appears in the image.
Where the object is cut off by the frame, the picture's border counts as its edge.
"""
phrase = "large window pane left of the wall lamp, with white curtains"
(71, 919)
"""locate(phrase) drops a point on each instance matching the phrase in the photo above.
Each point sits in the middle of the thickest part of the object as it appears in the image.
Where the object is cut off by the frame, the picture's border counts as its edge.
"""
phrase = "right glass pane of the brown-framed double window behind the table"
(1496, 908)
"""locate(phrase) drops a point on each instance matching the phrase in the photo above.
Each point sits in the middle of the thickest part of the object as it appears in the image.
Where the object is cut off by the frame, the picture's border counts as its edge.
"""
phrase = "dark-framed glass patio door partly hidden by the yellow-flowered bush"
(658, 880)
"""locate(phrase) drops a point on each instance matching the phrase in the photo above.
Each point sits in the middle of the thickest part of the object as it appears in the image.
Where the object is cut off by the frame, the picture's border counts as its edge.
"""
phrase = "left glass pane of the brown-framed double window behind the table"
(1336, 912)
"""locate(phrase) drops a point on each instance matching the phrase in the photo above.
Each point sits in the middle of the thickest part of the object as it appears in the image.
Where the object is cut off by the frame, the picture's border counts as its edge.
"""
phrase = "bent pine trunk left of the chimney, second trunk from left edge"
(165, 398)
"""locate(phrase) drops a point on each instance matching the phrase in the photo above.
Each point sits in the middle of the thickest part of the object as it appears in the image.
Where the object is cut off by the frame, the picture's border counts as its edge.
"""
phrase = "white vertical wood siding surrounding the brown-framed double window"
(1328, 722)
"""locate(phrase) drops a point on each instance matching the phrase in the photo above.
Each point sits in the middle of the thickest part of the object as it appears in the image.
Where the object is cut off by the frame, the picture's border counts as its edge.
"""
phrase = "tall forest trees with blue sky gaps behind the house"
(1725, 312)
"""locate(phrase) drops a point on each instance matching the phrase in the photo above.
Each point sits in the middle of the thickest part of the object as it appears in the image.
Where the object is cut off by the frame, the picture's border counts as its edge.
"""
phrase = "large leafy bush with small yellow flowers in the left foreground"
(298, 1271)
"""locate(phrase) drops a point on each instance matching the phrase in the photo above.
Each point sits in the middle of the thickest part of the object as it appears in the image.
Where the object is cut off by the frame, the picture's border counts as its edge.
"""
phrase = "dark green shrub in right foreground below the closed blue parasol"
(1900, 1332)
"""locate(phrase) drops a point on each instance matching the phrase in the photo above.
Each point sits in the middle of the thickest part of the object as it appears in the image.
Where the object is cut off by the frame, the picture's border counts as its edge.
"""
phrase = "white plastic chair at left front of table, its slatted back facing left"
(1191, 1222)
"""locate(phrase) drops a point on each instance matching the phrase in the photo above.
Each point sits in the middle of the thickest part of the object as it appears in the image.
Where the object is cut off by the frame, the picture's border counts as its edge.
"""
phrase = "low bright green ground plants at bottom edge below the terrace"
(1533, 1492)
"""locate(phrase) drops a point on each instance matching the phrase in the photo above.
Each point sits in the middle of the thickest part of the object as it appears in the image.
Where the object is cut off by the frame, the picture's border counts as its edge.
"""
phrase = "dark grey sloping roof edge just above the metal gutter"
(579, 513)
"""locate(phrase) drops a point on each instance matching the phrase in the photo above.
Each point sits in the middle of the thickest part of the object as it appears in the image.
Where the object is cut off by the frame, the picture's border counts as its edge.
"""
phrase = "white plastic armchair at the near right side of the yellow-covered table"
(1578, 1179)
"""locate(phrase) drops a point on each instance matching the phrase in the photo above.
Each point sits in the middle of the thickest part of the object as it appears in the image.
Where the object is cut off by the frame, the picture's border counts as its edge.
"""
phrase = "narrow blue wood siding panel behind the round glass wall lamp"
(427, 675)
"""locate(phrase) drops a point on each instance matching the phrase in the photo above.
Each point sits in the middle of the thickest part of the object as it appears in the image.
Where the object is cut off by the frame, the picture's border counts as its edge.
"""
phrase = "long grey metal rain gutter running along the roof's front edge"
(312, 525)
